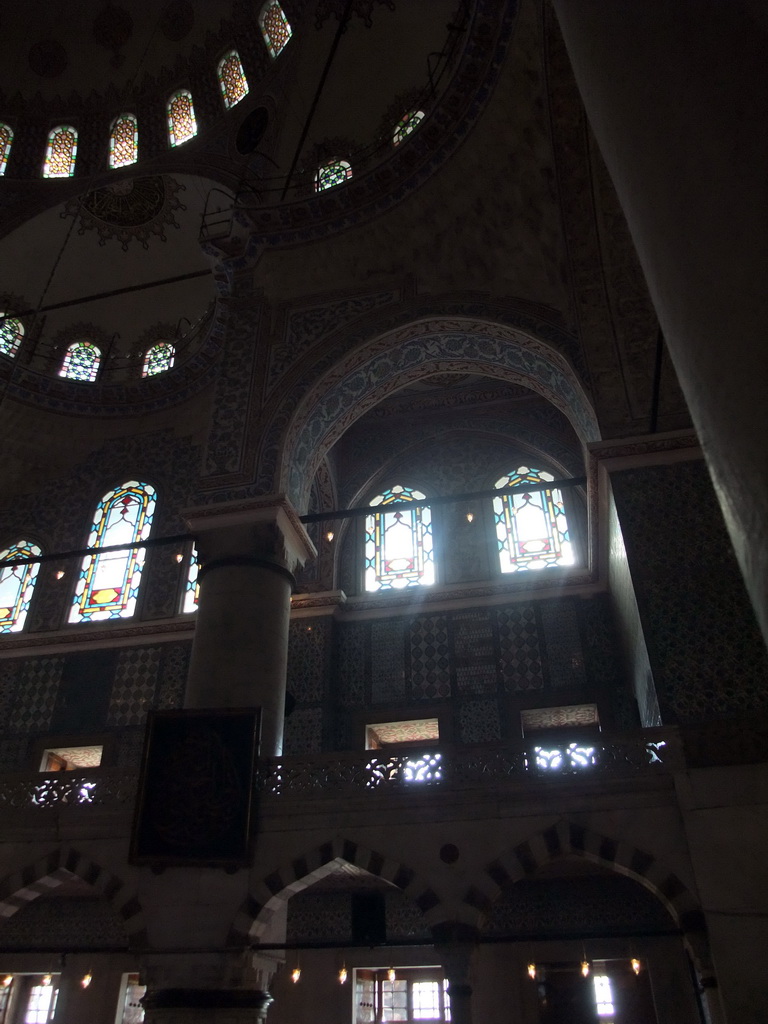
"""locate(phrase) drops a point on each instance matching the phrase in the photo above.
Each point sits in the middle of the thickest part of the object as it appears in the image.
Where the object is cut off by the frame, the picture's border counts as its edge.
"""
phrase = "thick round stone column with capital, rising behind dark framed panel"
(248, 553)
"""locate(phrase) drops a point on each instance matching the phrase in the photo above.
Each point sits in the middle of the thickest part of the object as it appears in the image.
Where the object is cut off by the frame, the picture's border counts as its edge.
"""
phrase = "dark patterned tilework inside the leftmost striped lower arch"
(52, 922)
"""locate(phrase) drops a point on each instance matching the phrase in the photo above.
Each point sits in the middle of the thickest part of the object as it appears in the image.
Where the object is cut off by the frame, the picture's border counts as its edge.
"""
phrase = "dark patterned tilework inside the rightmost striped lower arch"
(606, 905)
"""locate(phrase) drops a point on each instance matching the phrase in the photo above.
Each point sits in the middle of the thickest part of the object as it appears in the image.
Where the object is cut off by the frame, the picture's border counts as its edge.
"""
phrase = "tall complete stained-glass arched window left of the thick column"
(108, 585)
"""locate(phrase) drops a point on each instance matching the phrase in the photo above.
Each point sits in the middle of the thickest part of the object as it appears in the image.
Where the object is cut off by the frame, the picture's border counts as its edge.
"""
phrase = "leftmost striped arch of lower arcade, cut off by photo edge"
(42, 876)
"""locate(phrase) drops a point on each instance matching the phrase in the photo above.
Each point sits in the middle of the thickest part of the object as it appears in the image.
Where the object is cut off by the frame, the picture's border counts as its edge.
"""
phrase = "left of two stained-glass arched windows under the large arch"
(399, 544)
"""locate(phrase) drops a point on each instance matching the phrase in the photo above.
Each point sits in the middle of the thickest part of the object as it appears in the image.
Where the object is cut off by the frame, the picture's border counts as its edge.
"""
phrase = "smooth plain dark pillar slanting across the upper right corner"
(676, 96)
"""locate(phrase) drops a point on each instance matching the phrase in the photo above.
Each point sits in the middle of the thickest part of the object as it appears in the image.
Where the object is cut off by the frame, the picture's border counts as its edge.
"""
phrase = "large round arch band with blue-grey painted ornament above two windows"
(396, 359)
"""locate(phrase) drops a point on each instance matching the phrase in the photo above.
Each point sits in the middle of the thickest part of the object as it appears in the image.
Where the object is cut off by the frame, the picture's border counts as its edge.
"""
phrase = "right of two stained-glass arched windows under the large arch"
(531, 526)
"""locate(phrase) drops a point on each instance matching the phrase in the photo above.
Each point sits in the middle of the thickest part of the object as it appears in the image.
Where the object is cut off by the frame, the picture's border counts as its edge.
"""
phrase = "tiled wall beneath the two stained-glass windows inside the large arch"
(478, 667)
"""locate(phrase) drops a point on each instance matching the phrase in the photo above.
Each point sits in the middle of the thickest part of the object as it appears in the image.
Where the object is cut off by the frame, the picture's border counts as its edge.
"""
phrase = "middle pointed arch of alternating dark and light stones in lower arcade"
(258, 911)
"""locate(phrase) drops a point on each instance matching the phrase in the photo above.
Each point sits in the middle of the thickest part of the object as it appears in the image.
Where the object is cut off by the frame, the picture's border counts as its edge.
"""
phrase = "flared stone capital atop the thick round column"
(269, 525)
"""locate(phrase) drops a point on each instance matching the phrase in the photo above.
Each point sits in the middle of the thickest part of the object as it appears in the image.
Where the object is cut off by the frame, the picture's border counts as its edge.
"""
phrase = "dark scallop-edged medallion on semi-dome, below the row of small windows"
(132, 209)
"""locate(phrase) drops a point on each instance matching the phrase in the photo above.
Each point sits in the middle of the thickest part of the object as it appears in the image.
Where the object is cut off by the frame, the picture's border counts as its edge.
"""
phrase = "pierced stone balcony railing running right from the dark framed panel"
(647, 754)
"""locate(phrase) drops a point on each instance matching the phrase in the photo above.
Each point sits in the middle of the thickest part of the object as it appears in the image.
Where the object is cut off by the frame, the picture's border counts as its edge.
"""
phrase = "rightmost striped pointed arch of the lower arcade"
(568, 840)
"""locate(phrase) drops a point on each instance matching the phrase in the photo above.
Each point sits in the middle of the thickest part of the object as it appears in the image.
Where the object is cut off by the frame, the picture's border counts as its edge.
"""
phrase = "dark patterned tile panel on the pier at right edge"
(705, 648)
